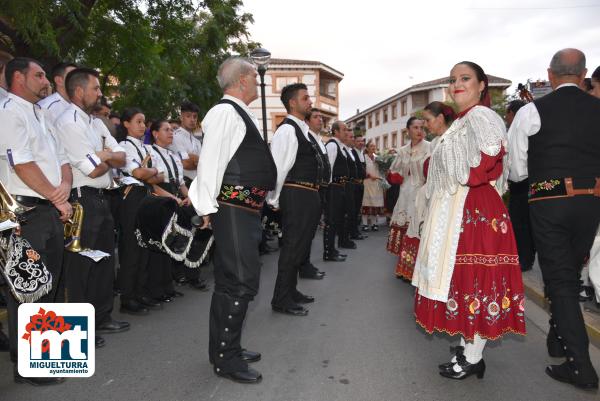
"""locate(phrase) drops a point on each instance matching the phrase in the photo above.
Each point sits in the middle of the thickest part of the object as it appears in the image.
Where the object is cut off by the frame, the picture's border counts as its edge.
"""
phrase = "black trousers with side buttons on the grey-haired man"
(237, 232)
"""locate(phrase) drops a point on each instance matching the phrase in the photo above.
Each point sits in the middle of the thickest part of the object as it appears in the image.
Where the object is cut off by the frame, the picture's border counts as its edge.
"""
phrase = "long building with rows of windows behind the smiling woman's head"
(385, 122)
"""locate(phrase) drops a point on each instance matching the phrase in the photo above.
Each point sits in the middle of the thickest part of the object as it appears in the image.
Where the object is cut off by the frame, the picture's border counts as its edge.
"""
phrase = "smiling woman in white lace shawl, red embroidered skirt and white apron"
(467, 272)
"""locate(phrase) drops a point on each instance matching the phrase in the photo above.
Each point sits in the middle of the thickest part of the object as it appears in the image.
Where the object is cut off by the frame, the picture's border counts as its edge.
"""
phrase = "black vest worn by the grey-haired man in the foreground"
(252, 164)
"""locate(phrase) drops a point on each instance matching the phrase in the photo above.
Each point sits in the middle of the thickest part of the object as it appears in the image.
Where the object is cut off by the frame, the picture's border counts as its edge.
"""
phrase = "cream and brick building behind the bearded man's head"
(323, 87)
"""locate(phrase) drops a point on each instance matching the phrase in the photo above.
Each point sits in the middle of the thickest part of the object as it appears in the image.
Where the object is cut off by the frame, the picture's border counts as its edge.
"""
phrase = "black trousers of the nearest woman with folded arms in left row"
(133, 259)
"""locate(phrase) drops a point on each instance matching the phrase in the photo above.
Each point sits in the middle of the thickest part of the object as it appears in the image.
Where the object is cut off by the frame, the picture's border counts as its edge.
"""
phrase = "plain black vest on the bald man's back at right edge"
(568, 142)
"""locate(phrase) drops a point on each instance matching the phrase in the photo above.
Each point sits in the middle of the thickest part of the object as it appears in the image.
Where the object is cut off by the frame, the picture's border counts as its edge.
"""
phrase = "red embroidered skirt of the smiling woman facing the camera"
(486, 294)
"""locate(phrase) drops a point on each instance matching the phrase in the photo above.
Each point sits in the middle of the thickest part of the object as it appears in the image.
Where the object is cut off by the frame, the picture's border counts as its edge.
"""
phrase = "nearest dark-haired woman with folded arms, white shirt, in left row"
(139, 175)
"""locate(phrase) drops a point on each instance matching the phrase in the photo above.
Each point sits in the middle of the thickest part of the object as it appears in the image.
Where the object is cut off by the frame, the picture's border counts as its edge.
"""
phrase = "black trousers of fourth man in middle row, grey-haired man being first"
(334, 217)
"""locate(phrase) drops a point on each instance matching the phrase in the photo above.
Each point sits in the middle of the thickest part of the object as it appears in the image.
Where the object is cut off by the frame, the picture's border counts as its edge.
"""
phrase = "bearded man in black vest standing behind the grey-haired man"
(299, 173)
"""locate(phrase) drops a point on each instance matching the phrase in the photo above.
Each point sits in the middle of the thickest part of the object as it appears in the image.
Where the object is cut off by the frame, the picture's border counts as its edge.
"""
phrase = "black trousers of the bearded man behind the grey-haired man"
(300, 212)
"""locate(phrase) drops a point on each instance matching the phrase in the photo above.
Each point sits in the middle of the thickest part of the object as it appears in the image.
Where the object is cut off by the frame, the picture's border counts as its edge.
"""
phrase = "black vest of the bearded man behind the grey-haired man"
(308, 166)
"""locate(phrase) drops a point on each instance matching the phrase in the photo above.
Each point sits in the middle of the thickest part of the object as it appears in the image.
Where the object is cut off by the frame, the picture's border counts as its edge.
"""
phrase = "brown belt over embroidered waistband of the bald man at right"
(563, 188)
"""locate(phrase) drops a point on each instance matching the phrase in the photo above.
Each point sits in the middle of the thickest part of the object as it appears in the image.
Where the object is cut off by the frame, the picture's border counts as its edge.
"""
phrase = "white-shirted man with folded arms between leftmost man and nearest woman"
(85, 279)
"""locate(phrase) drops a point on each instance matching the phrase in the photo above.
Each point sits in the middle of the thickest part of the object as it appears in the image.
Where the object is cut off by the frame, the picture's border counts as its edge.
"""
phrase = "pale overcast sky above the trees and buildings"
(383, 47)
